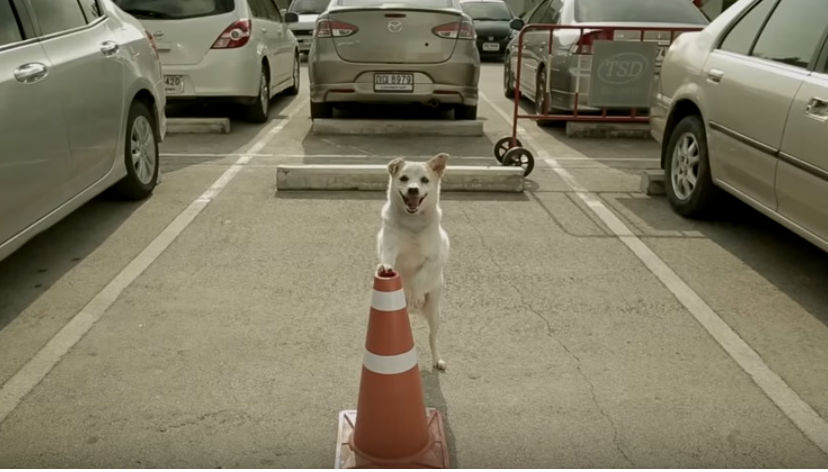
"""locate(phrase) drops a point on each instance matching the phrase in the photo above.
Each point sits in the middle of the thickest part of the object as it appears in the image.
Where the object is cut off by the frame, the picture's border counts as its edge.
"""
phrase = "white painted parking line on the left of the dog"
(16, 388)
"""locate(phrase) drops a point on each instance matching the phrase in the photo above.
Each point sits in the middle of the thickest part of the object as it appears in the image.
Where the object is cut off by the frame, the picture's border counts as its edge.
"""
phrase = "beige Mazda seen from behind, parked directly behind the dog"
(401, 51)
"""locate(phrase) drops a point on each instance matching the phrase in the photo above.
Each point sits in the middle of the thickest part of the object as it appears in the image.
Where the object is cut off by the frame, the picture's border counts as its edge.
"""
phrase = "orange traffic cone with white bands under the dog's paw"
(391, 427)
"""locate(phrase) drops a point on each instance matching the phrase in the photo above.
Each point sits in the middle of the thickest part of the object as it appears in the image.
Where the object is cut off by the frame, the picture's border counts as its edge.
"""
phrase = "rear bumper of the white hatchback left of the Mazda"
(221, 73)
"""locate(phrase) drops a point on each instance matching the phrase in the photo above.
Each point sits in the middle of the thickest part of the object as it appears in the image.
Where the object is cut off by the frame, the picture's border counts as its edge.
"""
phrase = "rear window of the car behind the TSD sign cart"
(638, 11)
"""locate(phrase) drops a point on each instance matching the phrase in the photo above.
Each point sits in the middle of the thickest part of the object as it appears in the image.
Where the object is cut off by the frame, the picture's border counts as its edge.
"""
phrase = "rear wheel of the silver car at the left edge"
(140, 154)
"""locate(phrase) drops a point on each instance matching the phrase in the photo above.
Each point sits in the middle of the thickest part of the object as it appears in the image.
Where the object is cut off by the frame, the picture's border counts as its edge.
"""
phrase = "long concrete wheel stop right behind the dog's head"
(375, 178)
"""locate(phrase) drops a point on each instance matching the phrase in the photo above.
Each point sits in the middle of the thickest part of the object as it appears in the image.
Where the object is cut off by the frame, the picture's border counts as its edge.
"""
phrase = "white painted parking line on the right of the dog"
(797, 410)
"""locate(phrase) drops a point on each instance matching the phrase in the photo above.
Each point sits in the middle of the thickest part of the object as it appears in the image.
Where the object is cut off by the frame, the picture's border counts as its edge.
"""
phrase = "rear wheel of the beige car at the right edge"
(688, 180)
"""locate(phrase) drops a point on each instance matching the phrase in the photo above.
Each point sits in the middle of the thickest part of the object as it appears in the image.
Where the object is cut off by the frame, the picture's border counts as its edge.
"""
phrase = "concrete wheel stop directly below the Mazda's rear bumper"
(397, 127)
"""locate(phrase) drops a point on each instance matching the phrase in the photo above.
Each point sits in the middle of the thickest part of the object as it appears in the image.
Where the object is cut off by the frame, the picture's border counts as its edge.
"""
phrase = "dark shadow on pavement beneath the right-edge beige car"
(792, 264)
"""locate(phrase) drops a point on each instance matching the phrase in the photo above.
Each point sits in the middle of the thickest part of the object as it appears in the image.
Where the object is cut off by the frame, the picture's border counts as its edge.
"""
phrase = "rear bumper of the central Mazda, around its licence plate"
(451, 82)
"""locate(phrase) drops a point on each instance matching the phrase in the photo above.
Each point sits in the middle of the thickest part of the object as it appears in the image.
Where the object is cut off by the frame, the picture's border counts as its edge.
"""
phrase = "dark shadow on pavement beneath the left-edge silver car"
(30, 271)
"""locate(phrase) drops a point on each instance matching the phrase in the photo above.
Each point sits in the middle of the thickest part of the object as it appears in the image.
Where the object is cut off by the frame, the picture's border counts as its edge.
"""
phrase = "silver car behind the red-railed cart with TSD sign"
(551, 80)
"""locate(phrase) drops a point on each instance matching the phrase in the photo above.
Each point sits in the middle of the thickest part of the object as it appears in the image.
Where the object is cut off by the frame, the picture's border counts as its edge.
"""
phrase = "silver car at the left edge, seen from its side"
(82, 110)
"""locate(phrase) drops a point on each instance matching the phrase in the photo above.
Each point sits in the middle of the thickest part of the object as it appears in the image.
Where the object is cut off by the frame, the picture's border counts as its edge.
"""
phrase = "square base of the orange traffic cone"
(434, 456)
